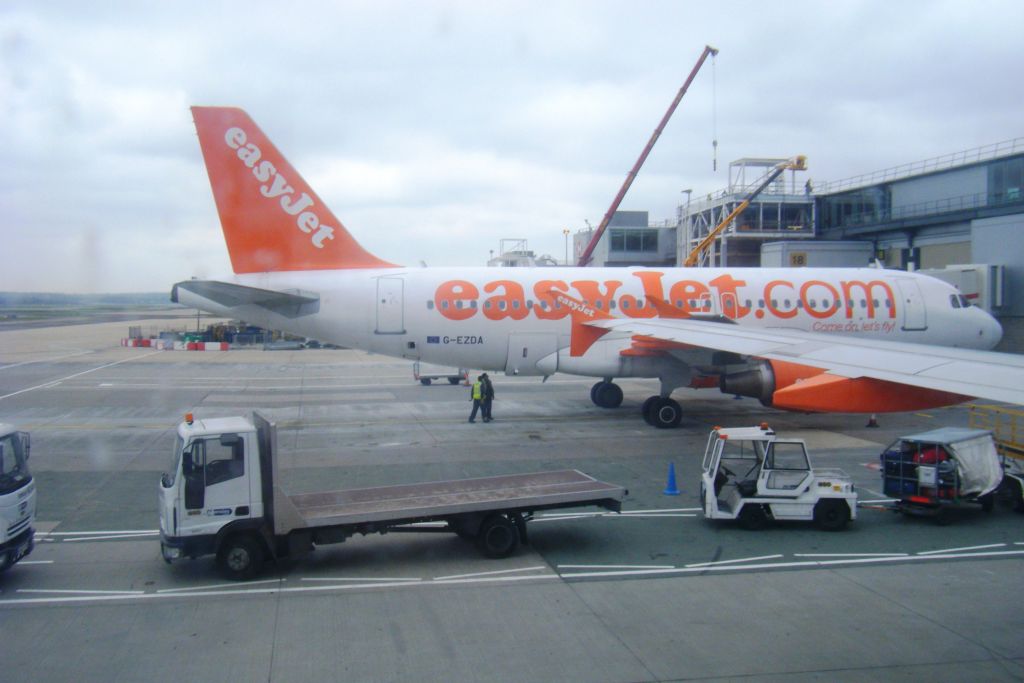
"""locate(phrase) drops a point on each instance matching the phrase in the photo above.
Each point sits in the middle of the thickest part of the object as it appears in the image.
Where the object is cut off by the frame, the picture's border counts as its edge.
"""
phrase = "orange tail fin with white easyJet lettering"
(273, 221)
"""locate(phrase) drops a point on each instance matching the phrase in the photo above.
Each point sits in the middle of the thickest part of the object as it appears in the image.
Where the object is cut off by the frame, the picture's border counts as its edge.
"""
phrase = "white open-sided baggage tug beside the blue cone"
(751, 476)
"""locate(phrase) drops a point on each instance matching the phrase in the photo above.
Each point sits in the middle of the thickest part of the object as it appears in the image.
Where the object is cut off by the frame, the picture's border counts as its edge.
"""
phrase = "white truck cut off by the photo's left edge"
(18, 497)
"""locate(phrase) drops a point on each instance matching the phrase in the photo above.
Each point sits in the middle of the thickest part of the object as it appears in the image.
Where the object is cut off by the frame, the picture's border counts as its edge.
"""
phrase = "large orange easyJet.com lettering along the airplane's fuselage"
(784, 300)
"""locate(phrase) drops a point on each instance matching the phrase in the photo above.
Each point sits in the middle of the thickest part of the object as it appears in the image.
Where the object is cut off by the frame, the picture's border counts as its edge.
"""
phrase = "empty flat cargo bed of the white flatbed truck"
(508, 492)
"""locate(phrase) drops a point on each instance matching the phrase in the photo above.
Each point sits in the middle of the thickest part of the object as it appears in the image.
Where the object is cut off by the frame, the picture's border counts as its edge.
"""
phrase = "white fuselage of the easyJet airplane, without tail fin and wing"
(506, 319)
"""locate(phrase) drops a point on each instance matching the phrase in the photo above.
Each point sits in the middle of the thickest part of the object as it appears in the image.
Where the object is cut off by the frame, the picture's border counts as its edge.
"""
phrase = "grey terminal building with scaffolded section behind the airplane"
(959, 218)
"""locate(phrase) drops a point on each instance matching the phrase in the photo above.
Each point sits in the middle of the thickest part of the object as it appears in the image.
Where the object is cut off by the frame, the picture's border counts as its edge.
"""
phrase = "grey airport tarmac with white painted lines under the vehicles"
(655, 594)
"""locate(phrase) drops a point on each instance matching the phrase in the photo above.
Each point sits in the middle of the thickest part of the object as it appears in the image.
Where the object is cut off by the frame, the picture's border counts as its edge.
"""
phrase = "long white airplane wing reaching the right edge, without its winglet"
(969, 372)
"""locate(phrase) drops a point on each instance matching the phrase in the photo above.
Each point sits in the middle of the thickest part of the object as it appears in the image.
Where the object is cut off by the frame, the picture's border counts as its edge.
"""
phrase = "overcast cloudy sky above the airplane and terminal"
(436, 130)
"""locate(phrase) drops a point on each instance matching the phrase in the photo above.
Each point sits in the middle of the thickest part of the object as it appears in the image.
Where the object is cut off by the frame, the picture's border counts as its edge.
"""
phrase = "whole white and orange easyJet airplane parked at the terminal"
(849, 340)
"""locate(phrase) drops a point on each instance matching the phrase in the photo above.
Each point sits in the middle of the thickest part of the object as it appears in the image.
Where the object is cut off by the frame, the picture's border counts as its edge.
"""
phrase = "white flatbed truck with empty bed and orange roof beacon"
(224, 497)
